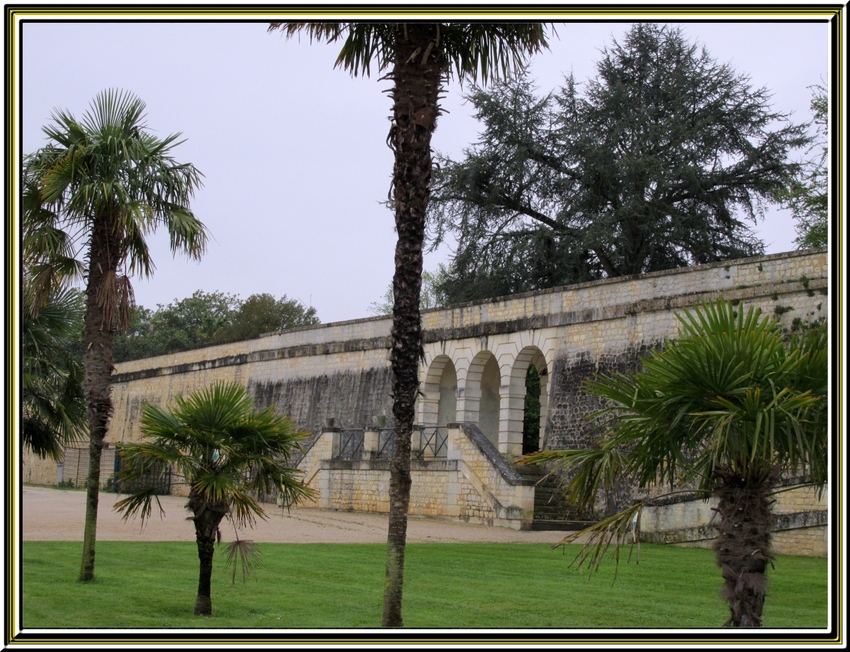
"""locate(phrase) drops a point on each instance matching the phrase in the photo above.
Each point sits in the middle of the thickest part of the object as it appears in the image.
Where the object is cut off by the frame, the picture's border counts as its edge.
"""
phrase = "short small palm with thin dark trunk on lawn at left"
(225, 453)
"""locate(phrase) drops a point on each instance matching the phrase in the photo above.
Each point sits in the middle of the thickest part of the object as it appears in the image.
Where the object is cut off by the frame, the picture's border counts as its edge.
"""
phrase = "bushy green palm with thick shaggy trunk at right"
(726, 409)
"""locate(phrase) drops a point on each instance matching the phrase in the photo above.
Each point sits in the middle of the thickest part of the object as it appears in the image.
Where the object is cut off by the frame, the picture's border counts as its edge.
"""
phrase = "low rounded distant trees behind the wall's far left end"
(207, 318)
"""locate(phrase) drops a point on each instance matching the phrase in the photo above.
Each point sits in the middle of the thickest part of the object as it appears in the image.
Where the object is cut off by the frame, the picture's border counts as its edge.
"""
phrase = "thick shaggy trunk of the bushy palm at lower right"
(743, 545)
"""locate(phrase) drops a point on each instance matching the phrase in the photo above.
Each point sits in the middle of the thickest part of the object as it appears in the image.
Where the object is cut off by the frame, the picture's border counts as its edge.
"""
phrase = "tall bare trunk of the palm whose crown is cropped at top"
(417, 81)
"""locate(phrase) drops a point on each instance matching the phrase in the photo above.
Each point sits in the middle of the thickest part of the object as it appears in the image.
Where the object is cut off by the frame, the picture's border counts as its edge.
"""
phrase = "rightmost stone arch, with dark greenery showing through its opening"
(513, 402)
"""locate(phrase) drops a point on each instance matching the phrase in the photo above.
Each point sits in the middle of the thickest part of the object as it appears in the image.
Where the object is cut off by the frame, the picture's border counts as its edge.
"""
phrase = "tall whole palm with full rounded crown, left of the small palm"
(91, 195)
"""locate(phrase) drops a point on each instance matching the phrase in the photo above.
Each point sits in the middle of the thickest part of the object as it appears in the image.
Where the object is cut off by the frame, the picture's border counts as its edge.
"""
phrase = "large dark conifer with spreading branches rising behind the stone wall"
(663, 160)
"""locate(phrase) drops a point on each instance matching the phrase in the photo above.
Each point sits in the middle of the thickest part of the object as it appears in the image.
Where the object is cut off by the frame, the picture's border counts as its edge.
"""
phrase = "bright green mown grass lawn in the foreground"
(507, 586)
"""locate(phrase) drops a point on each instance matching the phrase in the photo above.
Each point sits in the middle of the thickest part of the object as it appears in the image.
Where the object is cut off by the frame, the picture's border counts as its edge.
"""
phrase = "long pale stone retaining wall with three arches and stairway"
(477, 356)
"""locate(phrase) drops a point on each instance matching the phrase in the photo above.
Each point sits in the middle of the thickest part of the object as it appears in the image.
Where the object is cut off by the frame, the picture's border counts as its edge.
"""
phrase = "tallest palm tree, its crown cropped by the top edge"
(421, 57)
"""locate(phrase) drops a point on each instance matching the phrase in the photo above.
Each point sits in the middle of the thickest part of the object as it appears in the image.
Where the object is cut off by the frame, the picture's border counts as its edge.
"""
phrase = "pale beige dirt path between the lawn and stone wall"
(57, 515)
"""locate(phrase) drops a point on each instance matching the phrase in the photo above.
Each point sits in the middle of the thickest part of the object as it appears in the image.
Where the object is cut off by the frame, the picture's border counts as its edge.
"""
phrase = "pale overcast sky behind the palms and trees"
(293, 151)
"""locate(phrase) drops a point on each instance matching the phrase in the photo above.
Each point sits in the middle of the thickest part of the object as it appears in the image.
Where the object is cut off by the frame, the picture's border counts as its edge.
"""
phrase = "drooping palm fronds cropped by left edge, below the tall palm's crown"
(52, 389)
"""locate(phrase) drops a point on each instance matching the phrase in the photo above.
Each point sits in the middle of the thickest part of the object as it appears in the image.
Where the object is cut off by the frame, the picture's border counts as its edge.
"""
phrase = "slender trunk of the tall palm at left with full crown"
(104, 255)
